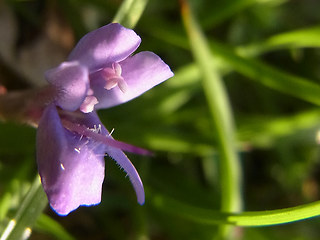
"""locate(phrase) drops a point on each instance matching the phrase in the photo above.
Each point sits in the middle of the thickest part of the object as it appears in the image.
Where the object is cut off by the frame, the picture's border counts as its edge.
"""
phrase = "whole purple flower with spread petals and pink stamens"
(71, 140)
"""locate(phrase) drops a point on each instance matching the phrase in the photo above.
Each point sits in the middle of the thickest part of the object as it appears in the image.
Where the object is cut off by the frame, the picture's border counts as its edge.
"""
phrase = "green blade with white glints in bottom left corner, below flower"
(20, 227)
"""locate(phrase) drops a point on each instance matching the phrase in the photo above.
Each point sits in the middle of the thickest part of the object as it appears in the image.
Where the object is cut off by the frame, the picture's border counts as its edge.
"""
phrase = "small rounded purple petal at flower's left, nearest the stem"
(72, 82)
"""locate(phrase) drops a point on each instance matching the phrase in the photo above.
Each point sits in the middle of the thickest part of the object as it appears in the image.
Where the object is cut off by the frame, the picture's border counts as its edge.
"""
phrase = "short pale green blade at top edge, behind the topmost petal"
(130, 12)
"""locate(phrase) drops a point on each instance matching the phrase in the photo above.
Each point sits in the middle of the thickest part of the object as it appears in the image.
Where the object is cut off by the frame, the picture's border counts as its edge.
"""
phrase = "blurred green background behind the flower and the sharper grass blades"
(266, 52)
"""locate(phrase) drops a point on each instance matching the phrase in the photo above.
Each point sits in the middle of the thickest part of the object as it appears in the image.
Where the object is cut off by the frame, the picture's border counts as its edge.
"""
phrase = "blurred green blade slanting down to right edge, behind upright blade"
(258, 71)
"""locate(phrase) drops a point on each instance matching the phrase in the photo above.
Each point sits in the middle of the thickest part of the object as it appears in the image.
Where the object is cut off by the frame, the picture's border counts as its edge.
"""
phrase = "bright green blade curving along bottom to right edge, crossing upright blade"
(245, 219)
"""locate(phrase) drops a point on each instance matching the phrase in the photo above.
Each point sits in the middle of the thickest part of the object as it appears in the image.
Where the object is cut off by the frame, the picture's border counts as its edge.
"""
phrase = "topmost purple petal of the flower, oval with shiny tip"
(108, 44)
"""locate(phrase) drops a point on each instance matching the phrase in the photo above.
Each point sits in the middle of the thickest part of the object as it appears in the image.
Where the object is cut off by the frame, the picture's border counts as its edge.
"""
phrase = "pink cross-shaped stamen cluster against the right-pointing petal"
(113, 77)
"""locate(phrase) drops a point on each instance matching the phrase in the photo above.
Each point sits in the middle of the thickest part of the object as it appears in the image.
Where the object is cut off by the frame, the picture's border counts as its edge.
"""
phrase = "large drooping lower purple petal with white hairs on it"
(71, 167)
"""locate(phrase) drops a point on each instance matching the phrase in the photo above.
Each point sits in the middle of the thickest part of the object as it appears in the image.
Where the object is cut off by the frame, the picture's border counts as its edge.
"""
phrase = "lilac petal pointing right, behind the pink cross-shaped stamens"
(141, 72)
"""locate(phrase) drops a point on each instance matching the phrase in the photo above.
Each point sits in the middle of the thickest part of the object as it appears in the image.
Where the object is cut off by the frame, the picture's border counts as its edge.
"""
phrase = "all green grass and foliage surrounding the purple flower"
(239, 122)
